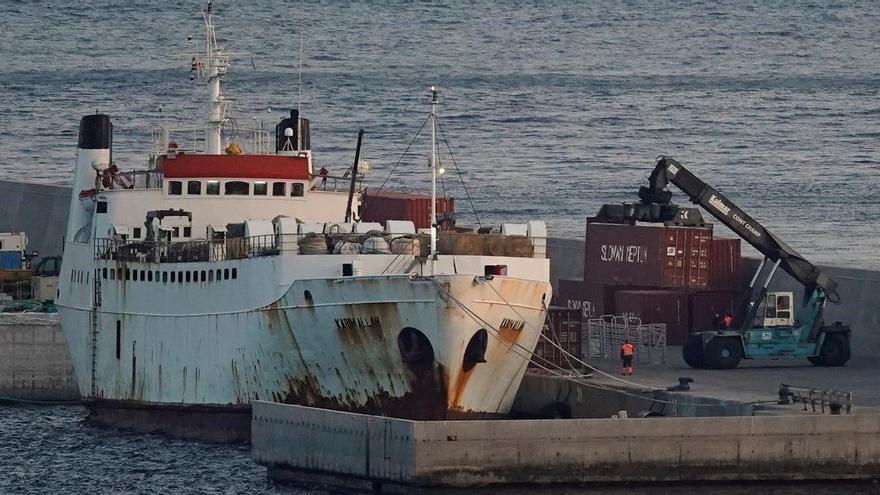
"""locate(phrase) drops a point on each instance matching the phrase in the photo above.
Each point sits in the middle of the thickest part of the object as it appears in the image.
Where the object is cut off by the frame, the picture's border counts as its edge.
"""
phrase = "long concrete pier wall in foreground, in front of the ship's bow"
(473, 453)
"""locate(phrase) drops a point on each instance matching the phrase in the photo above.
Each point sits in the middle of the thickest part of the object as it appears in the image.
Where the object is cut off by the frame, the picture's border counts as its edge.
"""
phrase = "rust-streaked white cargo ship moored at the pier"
(229, 270)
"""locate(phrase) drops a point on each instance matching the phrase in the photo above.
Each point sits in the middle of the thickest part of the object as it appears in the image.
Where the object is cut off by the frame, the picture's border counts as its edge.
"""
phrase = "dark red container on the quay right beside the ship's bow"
(562, 328)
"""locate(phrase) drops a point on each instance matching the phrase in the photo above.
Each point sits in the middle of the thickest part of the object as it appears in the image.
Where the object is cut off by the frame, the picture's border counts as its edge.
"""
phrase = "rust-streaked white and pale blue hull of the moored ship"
(328, 342)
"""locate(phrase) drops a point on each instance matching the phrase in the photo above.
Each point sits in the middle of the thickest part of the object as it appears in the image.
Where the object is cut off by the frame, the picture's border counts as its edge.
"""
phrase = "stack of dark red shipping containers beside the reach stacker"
(680, 276)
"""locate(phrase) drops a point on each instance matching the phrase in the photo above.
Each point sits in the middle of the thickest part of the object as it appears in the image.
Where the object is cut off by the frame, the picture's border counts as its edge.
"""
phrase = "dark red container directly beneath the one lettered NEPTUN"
(657, 306)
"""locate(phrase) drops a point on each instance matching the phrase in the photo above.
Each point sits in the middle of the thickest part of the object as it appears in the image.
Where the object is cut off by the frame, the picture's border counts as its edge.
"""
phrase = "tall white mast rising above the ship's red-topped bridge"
(214, 66)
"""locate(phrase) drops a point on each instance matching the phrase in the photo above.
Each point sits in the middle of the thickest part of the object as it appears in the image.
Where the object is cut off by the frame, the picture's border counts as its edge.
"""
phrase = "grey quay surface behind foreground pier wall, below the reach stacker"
(751, 389)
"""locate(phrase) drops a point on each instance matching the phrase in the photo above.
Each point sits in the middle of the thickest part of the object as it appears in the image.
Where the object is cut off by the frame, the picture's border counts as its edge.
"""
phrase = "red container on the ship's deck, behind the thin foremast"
(388, 205)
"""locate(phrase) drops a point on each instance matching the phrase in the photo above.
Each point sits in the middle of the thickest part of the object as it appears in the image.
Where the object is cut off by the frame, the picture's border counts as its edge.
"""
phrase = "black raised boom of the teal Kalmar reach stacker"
(668, 171)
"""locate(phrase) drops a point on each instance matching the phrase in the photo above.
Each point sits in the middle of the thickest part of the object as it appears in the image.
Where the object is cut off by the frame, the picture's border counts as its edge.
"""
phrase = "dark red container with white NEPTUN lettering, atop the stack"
(648, 255)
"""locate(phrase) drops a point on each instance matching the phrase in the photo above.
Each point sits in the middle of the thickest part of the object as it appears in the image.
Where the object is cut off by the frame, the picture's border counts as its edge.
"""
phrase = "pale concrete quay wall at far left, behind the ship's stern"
(34, 360)
